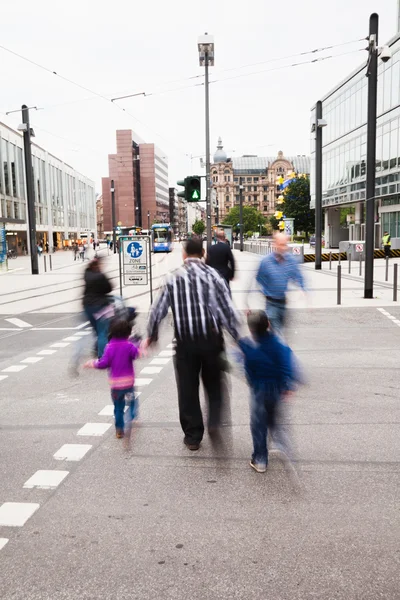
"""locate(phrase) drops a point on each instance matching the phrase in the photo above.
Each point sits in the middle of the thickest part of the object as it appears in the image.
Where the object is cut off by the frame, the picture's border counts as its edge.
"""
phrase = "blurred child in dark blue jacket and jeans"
(271, 373)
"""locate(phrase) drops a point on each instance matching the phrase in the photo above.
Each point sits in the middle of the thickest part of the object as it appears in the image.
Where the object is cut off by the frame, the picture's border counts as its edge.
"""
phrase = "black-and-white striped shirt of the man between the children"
(200, 303)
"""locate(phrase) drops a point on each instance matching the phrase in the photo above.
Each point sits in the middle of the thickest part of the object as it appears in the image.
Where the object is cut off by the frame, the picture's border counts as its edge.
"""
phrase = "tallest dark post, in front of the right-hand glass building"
(372, 74)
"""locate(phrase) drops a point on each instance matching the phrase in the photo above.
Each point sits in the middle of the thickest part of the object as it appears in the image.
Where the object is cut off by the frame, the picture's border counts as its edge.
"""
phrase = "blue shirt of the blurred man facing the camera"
(275, 272)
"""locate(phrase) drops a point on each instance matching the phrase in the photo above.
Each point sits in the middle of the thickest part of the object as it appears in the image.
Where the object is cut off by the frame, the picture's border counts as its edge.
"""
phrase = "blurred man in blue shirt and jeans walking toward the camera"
(275, 272)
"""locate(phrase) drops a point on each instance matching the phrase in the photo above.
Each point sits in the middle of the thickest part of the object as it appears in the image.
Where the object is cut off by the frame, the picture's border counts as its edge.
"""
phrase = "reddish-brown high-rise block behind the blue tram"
(140, 174)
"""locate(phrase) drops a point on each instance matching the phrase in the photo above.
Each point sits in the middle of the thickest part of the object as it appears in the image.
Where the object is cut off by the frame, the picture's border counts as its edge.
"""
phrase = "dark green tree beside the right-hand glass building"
(297, 205)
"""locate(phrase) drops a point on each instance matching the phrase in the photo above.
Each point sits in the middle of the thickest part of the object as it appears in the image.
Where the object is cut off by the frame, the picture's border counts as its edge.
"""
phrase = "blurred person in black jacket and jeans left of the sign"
(95, 299)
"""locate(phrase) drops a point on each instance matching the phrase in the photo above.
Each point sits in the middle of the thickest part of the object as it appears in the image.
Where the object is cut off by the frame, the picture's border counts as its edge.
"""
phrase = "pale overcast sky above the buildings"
(128, 46)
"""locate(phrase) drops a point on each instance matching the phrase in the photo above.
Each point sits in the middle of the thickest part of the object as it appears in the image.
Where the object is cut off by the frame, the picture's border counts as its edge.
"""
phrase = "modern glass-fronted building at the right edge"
(345, 153)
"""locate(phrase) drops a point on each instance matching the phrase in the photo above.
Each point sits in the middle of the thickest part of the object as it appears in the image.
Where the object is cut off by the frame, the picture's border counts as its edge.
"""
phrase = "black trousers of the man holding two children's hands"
(192, 359)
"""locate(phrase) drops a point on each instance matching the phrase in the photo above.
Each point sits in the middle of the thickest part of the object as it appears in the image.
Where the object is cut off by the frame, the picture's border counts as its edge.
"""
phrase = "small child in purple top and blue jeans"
(118, 358)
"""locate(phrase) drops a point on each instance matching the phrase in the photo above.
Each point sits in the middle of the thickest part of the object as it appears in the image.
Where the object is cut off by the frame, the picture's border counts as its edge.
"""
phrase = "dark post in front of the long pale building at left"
(30, 191)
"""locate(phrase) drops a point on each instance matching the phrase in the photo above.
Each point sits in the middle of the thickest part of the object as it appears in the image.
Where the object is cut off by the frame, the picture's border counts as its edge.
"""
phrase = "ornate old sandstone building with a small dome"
(258, 176)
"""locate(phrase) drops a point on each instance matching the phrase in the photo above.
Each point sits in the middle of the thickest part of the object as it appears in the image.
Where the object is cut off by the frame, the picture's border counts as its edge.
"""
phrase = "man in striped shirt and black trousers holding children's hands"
(201, 307)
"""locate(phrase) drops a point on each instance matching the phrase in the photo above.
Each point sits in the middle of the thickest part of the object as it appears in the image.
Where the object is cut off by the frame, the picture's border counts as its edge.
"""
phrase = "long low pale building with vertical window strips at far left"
(64, 199)
